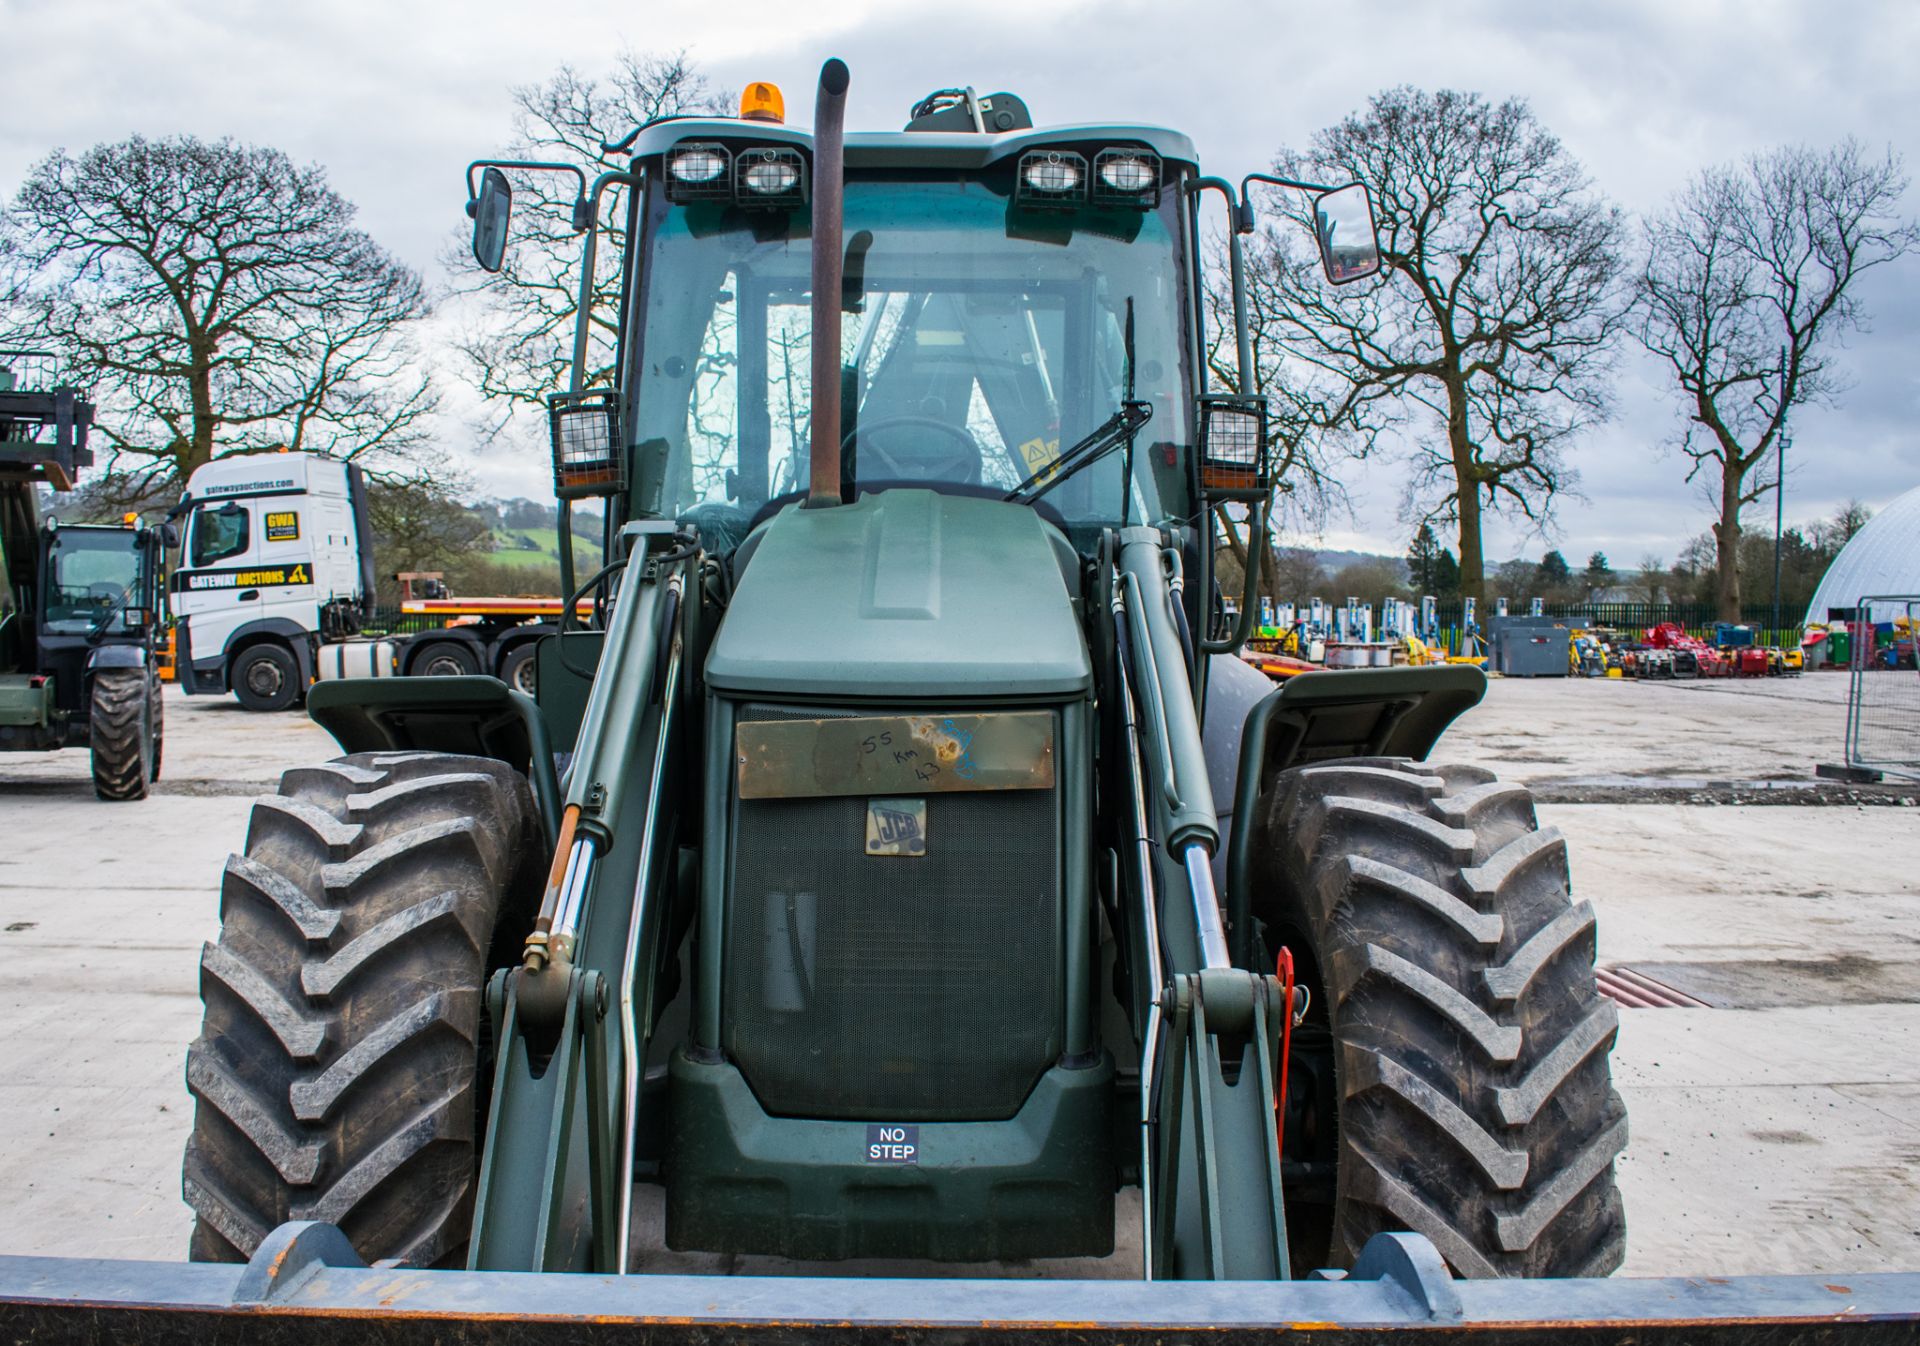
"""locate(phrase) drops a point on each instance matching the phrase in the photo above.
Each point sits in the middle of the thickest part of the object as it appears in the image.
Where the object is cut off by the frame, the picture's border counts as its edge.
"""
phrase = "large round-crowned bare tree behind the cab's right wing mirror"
(1485, 345)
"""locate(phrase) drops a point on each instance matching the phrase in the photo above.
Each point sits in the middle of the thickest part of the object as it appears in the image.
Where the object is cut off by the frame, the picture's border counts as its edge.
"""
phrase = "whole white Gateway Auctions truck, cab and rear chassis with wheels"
(277, 581)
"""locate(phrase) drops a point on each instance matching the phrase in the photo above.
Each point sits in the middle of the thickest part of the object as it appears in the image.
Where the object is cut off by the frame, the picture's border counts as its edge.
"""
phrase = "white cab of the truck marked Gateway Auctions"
(277, 558)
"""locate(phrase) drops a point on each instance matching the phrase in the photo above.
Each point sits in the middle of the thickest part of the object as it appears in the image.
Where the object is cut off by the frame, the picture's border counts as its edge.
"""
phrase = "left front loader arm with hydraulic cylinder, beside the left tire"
(573, 1021)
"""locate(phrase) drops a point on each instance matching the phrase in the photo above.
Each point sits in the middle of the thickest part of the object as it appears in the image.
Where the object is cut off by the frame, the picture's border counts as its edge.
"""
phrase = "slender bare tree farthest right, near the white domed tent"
(1746, 287)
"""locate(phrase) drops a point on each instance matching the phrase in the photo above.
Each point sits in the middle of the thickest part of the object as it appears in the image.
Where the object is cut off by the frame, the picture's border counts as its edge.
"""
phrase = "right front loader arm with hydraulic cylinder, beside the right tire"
(1211, 1172)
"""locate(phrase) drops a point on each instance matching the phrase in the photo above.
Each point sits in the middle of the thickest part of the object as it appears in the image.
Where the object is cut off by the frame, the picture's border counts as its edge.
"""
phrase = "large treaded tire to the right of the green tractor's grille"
(1454, 984)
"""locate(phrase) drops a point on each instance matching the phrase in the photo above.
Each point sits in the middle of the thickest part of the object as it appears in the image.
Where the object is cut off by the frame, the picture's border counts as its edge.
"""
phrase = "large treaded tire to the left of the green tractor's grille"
(337, 1070)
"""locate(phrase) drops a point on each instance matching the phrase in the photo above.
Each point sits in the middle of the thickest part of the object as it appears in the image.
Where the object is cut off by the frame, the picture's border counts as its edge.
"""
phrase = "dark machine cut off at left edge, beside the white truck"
(82, 600)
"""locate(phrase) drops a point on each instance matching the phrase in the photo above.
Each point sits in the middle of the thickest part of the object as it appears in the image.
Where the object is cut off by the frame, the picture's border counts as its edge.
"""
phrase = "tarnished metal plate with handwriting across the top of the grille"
(896, 756)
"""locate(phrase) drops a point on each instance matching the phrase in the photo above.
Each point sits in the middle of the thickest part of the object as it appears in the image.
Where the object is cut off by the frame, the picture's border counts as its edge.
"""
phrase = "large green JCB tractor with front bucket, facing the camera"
(898, 917)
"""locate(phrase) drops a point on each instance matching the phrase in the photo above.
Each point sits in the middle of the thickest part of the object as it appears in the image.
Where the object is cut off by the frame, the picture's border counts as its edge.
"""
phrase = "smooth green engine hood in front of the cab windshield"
(905, 594)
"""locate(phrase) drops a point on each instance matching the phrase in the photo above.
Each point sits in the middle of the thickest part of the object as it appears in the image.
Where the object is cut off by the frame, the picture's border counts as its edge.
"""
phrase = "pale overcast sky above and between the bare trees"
(396, 97)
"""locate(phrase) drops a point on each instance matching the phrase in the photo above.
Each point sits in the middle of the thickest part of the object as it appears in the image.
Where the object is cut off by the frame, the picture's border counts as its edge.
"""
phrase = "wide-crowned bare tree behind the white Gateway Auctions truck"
(218, 300)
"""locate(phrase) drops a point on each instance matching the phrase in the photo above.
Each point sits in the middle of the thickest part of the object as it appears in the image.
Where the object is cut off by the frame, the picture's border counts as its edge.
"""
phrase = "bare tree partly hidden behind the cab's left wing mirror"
(521, 339)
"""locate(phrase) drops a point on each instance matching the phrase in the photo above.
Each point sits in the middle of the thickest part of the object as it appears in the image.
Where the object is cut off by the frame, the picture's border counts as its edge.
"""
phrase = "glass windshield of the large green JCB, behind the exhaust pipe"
(978, 345)
